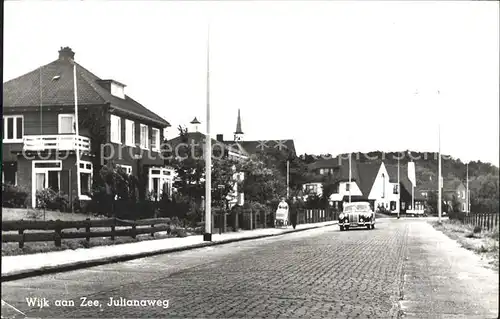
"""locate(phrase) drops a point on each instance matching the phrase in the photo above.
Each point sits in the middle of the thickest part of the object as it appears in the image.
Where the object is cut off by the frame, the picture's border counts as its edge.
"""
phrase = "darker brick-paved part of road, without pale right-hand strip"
(322, 273)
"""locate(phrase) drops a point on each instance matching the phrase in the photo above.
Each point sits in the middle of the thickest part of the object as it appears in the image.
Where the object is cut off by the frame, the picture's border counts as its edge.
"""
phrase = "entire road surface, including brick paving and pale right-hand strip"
(403, 268)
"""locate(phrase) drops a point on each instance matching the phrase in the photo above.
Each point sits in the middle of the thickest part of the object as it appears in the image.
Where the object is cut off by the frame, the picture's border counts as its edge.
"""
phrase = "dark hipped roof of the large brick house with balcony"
(54, 82)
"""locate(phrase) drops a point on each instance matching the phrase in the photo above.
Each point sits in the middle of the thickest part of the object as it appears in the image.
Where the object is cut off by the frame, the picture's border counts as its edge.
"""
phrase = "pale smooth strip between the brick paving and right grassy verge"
(444, 280)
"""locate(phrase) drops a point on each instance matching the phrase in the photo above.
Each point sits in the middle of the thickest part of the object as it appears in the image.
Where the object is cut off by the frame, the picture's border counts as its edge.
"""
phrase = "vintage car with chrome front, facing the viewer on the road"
(357, 214)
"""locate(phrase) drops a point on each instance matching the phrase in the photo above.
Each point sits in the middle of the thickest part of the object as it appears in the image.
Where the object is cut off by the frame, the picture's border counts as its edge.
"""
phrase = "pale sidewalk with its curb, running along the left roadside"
(22, 266)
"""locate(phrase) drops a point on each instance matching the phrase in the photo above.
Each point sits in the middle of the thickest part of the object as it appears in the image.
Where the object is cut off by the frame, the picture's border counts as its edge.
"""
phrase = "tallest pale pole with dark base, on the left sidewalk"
(208, 156)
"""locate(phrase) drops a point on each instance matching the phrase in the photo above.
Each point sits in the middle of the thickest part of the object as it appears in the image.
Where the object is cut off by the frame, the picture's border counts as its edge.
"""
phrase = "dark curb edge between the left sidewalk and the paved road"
(114, 259)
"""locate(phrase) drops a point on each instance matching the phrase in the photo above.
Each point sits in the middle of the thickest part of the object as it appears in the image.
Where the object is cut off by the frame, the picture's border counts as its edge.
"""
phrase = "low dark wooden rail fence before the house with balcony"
(58, 227)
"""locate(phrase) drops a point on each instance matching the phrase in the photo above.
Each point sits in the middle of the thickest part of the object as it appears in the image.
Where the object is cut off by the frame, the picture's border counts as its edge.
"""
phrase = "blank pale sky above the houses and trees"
(333, 76)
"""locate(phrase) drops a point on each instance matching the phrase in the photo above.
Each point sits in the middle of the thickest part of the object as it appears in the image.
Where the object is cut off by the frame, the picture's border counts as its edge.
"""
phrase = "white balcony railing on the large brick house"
(61, 142)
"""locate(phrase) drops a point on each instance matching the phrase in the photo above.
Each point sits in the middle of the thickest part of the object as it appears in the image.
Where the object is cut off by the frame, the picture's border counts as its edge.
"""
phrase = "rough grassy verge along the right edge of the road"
(482, 242)
